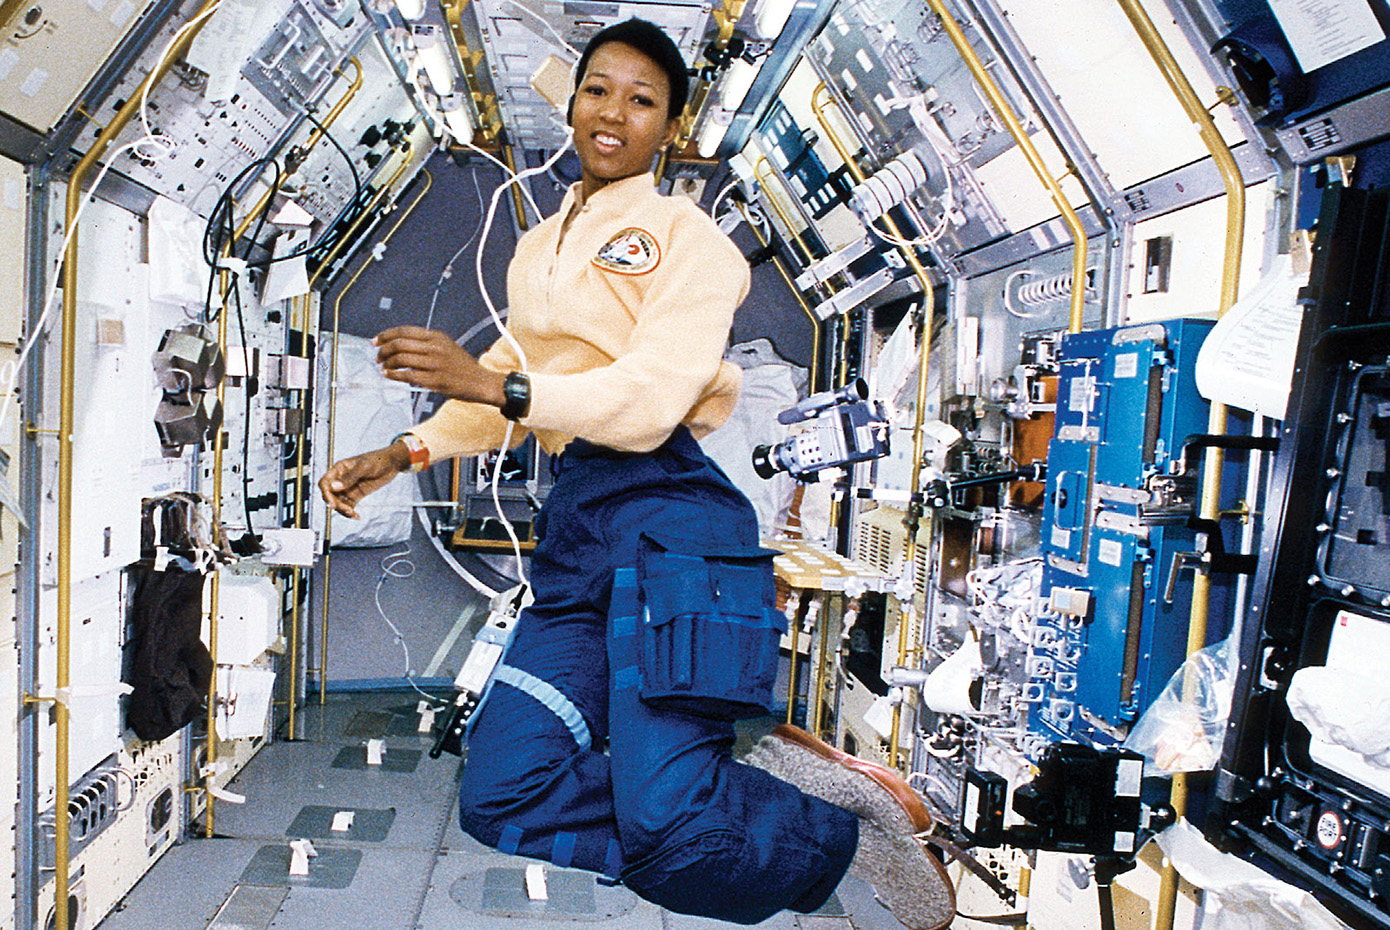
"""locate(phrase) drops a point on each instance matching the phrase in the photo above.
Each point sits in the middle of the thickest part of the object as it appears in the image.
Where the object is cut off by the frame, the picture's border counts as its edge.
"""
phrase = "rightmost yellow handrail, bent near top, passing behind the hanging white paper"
(1213, 466)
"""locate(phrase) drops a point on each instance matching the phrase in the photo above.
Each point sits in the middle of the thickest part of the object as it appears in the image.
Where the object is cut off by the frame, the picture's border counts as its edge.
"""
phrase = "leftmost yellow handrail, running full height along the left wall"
(66, 426)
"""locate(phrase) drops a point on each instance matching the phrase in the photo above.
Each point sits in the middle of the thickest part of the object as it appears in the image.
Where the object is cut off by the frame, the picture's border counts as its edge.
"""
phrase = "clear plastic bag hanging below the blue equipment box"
(1184, 729)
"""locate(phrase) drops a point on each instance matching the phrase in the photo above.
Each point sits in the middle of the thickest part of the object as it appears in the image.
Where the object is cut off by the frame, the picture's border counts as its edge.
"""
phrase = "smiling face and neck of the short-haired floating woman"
(621, 116)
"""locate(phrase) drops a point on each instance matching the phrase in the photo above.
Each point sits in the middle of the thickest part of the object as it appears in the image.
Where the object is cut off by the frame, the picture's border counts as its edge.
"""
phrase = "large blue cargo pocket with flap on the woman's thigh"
(710, 628)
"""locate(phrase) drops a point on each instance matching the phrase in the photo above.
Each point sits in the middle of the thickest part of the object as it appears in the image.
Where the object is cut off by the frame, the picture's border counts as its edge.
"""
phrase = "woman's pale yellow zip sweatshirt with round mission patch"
(623, 319)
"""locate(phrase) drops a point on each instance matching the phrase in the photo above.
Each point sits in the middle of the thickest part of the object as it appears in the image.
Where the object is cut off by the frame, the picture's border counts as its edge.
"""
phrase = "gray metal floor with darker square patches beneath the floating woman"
(407, 853)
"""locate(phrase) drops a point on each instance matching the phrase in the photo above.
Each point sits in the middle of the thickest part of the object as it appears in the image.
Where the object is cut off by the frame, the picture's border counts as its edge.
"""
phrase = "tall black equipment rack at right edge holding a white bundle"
(1307, 793)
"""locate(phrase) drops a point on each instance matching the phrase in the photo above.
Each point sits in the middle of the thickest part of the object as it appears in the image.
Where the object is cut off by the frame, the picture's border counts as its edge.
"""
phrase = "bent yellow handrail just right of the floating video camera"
(915, 509)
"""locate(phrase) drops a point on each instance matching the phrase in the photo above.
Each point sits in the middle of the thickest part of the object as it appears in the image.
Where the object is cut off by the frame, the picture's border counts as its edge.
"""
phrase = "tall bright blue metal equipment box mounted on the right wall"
(1114, 622)
